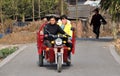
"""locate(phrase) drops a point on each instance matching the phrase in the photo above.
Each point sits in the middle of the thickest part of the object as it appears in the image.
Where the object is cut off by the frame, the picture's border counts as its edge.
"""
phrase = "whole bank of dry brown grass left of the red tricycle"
(22, 35)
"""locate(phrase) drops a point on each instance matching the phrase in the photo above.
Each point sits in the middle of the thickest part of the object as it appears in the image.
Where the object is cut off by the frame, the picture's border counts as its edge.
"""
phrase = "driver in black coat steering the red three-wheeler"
(51, 28)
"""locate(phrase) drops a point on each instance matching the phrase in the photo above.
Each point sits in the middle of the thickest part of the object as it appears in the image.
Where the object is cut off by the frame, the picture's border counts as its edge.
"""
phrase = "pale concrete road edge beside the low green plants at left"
(10, 57)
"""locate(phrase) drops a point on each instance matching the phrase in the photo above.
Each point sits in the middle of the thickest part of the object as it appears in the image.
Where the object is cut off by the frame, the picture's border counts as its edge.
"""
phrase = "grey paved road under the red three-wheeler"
(92, 58)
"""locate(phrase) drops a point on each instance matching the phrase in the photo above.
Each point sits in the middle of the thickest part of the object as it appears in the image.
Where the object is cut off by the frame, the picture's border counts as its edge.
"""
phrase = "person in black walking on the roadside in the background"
(96, 21)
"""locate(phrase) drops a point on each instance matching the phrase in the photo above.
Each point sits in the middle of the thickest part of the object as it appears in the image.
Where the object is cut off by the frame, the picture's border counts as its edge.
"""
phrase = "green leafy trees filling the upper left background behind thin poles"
(21, 9)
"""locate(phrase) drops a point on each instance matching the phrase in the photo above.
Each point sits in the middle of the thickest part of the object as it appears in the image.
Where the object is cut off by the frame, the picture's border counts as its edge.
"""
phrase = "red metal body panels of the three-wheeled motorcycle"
(51, 56)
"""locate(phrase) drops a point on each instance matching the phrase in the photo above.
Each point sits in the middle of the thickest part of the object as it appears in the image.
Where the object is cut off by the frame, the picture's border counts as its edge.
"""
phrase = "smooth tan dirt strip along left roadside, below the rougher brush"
(19, 38)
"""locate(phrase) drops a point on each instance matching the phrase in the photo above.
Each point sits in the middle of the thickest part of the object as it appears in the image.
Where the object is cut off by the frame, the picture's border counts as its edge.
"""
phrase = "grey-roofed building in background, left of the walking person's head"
(84, 8)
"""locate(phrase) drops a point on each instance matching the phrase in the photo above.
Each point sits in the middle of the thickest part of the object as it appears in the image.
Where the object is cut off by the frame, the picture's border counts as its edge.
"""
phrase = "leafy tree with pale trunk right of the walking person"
(113, 6)
